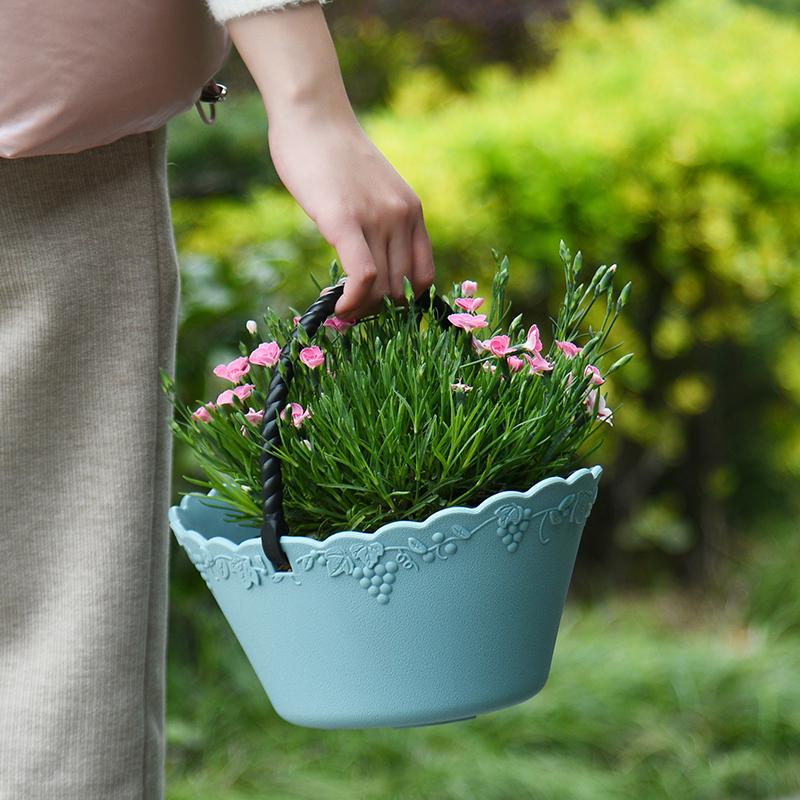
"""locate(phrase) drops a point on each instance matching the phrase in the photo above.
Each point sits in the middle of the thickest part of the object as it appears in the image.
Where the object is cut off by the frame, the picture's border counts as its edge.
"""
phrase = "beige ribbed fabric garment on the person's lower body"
(88, 306)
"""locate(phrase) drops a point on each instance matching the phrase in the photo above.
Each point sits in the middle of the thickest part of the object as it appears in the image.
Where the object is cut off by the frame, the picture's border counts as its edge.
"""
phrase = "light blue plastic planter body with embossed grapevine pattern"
(416, 624)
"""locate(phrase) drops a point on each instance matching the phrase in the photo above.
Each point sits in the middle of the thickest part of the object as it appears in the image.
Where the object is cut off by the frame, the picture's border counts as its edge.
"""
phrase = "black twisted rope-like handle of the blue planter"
(274, 525)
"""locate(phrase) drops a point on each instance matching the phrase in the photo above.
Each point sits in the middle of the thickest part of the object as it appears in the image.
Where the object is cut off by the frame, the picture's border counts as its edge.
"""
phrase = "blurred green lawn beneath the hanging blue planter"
(649, 697)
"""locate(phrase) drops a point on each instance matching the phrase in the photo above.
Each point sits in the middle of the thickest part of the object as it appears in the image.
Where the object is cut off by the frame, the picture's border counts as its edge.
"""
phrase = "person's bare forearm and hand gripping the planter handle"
(362, 207)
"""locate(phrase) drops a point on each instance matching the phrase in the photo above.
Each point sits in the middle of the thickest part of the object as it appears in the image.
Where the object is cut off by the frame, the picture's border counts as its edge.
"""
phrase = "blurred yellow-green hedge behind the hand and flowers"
(667, 141)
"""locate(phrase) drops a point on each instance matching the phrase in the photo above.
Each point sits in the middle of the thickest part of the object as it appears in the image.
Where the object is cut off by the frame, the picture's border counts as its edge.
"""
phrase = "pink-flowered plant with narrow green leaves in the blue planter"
(403, 414)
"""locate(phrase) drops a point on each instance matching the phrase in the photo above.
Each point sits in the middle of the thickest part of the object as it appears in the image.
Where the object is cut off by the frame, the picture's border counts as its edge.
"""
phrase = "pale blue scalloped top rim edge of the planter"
(342, 536)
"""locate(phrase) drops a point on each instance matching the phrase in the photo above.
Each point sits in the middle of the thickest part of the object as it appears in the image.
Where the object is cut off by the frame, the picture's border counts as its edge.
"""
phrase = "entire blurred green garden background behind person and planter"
(661, 136)
